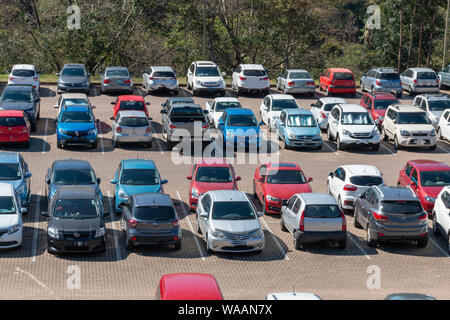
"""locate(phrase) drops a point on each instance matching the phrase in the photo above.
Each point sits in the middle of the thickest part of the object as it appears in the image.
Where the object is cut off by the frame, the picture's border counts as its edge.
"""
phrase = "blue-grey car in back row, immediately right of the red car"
(382, 80)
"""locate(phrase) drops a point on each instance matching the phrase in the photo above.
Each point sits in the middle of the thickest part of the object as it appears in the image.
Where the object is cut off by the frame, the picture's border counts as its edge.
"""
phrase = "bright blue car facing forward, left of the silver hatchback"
(76, 125)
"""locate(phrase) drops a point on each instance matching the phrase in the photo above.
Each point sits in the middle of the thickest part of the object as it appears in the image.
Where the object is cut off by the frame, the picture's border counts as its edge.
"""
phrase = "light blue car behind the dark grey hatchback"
(134, 176)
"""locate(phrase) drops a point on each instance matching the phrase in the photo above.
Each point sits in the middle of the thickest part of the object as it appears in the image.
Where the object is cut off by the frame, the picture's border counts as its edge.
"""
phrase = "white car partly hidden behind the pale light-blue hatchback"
(272, 106)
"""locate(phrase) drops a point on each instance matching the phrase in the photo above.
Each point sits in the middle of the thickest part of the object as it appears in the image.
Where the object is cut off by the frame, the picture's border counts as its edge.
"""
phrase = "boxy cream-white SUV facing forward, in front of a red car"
(408, 126)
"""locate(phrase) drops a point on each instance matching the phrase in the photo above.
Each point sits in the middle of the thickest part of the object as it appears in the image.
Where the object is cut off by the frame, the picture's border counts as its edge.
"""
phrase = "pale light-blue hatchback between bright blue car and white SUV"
(298, 129)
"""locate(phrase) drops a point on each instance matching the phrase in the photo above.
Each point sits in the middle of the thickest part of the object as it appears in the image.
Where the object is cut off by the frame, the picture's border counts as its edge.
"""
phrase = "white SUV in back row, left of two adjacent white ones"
(205, 77)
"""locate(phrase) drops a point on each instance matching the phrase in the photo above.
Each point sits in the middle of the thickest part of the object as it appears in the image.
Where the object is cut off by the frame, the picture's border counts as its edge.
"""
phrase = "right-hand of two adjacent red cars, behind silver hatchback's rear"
(275, 183)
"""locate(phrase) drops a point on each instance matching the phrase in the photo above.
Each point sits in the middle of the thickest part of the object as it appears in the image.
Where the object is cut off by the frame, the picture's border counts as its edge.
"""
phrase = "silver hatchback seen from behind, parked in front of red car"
(131, 127)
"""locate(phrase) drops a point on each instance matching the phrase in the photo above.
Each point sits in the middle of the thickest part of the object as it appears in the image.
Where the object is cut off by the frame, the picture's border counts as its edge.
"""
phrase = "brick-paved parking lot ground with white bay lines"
(32, 273)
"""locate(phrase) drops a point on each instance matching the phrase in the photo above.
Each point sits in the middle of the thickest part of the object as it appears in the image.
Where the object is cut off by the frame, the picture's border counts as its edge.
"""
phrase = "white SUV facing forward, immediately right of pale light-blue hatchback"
(351, 124)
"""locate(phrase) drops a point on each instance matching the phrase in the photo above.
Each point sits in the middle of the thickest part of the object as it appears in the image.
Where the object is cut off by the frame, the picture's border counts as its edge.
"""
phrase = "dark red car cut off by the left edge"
(14, 127)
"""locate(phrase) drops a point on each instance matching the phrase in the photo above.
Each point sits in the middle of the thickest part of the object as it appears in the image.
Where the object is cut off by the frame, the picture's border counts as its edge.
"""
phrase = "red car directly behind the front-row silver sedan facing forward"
(210, 174)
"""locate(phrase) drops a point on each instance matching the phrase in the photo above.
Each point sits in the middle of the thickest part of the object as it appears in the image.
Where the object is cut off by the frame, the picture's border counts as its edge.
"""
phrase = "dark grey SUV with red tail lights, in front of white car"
(391, 213)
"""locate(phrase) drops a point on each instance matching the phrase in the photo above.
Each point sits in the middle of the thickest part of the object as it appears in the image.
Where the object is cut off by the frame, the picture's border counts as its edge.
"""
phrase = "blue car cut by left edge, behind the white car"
(14, 170)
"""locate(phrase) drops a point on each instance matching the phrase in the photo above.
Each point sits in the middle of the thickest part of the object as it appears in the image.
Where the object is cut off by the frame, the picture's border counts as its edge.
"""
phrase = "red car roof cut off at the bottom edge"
(188, 286)
